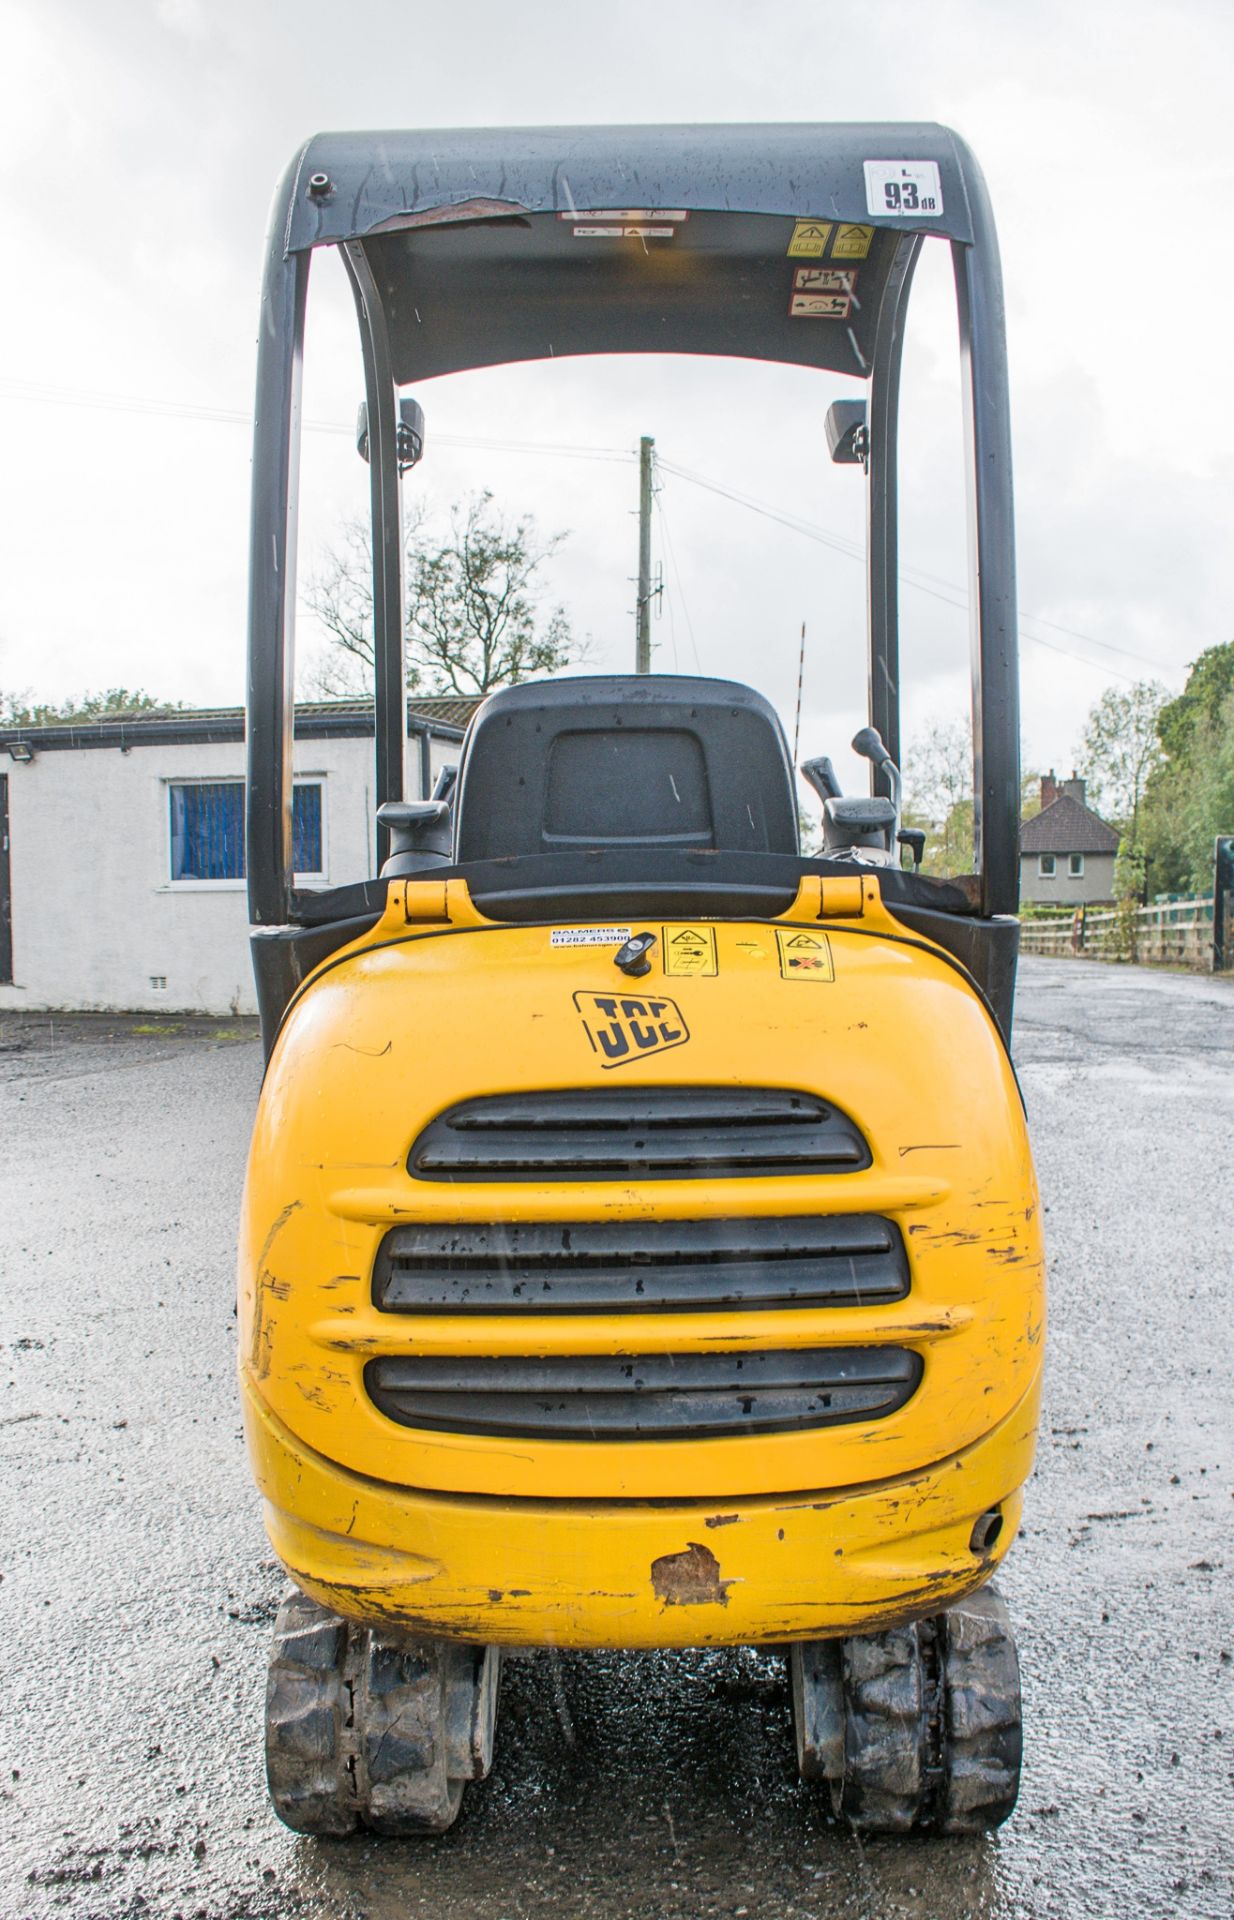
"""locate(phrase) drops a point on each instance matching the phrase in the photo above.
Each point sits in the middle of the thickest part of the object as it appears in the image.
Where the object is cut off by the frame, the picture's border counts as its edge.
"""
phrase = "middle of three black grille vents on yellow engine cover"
(642, 1266)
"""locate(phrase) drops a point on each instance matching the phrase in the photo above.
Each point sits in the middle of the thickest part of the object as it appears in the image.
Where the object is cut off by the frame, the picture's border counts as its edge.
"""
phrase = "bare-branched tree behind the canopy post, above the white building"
(473, 606)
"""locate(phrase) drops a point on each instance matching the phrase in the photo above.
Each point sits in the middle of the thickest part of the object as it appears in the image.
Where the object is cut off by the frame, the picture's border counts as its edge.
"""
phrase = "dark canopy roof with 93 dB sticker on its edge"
(767, 243)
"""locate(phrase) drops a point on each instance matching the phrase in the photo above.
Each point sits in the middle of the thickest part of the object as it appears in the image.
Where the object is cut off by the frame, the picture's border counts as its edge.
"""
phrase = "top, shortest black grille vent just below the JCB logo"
(667, 1134)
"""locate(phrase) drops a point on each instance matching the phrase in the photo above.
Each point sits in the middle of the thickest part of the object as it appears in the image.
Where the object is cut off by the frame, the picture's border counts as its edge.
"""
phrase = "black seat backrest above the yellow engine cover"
(625, 761)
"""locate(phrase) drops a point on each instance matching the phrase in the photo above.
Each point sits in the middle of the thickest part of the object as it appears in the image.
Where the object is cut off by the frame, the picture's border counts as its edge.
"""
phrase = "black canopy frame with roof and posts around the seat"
(414, 212)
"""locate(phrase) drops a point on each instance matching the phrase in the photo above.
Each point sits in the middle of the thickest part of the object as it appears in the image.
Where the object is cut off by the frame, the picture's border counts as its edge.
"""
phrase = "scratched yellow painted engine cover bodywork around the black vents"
(439, 1005)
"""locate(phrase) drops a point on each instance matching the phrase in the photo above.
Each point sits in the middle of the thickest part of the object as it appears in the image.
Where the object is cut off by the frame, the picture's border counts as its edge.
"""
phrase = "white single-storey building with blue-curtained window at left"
(122, 848)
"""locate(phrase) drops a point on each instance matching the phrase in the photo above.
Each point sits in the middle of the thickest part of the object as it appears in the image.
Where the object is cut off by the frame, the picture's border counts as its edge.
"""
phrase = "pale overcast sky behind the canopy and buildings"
(141, 147)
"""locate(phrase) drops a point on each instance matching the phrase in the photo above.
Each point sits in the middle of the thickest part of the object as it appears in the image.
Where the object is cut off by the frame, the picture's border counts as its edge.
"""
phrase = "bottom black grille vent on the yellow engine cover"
(652, 1397)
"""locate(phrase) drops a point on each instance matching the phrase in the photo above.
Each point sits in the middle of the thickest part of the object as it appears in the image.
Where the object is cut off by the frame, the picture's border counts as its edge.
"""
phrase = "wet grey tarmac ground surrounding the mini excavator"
(137, 1587)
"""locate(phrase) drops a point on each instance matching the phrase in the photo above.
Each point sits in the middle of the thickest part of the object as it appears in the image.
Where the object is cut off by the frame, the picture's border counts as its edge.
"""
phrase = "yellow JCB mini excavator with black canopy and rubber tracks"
(640, 1237)
